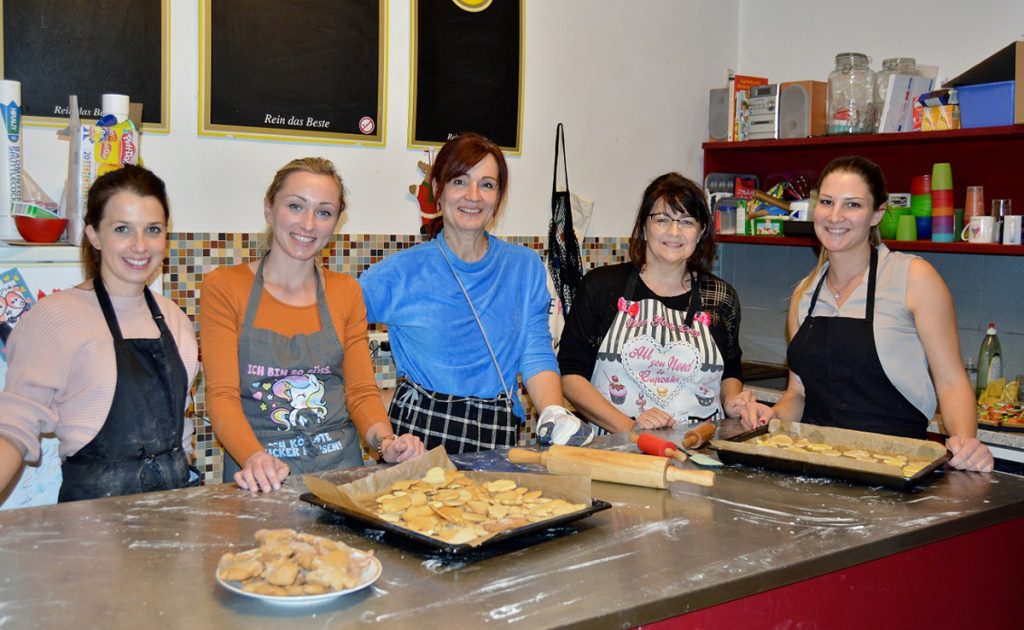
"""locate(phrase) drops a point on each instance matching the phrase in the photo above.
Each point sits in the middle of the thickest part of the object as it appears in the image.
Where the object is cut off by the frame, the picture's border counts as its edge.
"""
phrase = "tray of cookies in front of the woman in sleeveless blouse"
(875, 459)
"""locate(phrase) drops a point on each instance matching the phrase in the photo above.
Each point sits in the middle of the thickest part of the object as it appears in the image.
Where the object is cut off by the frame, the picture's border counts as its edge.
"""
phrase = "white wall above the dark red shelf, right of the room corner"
(796, 40)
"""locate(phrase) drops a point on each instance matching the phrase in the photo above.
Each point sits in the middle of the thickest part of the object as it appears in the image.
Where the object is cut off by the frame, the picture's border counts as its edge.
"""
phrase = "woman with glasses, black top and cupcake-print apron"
(656, 342)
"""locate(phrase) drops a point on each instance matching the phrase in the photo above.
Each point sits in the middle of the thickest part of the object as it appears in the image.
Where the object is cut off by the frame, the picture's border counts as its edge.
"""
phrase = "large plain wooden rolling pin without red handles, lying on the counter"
(612, 467)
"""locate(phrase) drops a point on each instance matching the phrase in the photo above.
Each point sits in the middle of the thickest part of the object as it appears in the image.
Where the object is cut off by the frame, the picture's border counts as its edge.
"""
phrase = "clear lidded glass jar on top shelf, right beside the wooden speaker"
(851, 96)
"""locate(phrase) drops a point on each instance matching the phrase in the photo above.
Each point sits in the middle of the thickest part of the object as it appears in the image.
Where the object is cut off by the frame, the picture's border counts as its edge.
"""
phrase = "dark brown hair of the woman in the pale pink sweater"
(129, 179)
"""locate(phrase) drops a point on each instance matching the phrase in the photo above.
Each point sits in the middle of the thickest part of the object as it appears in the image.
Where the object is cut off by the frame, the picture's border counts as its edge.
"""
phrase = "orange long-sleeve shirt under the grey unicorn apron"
(224, 298)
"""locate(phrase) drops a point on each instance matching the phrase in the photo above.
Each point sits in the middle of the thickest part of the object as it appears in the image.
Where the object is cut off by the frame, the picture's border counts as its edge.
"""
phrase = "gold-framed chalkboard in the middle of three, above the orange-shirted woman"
(304, 69)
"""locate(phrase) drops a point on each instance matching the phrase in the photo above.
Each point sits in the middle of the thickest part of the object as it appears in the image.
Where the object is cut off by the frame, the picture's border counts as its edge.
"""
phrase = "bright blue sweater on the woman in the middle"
(435, 339)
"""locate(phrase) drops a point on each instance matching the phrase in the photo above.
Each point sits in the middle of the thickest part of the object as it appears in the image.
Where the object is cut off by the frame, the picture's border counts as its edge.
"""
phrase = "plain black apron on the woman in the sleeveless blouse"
(844, 383)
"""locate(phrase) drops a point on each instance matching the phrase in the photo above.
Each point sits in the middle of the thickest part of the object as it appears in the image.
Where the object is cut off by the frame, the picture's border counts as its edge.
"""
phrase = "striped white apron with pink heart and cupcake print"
(656, 357)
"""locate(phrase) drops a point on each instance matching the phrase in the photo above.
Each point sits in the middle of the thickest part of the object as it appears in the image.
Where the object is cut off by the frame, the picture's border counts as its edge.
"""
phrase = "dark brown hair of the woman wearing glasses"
(682, 196)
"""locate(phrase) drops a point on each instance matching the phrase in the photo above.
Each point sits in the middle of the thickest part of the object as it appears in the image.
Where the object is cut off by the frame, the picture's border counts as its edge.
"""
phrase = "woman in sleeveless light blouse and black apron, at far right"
(874, 333)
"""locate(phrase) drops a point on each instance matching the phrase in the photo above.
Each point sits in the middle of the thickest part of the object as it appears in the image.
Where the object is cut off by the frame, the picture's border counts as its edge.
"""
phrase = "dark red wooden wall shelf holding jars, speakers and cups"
(993, 157)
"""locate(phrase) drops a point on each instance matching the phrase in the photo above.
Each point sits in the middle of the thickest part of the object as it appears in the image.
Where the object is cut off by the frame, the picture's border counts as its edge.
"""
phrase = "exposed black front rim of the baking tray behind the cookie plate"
(535, 528)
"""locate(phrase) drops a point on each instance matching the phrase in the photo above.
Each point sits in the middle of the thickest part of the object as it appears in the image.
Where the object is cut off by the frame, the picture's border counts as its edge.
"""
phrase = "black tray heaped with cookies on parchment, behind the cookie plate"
(431, 502)
